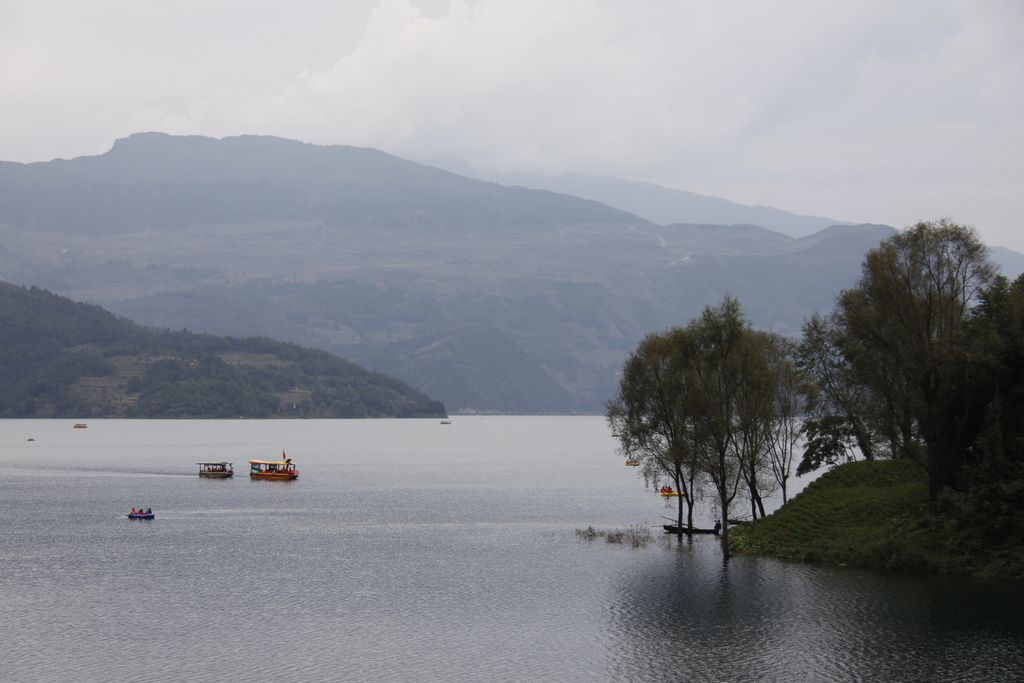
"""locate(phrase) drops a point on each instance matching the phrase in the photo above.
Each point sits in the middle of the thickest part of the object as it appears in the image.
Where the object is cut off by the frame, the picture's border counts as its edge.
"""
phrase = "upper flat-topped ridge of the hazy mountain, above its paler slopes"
(159, 182)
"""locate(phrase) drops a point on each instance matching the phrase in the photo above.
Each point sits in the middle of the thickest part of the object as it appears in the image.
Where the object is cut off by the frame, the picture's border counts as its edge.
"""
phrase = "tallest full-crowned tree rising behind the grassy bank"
(903, 332)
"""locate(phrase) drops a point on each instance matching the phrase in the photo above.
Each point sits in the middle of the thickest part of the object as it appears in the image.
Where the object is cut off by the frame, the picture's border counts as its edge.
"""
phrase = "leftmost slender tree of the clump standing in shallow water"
(651, 416)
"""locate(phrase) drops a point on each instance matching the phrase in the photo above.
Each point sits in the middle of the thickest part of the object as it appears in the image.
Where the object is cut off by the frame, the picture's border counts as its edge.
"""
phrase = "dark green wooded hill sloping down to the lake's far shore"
(64, 359)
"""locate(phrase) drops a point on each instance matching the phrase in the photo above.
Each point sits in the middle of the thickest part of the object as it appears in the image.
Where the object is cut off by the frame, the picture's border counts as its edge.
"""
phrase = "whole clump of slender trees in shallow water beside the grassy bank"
(715, 404)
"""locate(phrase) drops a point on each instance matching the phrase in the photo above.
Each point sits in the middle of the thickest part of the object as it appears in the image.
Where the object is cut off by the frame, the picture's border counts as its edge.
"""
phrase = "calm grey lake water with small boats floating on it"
(413, 551)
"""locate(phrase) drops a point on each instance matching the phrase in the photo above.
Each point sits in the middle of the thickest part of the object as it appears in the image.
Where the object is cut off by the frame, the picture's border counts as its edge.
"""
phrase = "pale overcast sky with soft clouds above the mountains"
(866, 111)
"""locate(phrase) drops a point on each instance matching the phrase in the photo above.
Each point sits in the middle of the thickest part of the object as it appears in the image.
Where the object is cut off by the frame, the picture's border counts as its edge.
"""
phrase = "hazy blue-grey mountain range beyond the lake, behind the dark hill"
(489, 297)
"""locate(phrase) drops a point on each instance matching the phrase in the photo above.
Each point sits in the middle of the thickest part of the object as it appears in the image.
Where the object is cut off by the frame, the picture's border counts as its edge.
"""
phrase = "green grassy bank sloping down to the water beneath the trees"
(875, 516)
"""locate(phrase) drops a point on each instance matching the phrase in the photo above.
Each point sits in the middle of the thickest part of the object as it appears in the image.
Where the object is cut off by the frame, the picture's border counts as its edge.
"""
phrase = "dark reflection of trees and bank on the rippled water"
(762, 620)
